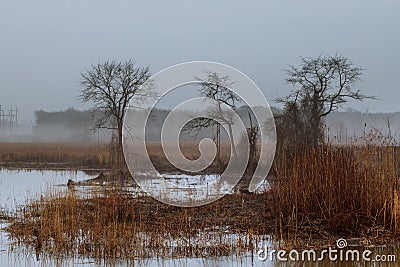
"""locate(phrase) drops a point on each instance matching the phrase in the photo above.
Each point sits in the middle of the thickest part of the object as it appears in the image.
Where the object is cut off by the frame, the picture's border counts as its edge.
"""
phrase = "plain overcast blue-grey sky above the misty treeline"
(45, 44)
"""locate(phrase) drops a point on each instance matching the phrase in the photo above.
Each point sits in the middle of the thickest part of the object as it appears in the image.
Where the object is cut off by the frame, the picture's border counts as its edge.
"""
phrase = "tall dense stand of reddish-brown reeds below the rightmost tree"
(330, 192)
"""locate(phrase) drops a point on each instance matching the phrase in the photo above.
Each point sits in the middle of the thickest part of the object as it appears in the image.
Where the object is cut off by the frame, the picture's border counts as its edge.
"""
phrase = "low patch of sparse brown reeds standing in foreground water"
(115, 225)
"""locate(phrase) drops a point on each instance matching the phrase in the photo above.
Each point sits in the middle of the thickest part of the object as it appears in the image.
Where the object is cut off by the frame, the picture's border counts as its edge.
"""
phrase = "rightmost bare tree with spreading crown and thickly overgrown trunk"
(324, 84)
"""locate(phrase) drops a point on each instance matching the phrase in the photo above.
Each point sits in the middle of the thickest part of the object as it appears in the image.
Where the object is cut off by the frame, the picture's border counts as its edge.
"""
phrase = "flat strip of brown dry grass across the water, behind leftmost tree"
(85, 156)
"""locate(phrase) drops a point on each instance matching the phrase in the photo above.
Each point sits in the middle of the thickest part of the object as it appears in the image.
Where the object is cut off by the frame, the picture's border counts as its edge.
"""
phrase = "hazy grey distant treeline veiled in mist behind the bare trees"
(80, 125)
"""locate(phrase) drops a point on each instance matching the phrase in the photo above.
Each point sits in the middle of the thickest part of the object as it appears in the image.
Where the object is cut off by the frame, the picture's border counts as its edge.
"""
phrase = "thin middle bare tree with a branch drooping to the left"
(216, 87)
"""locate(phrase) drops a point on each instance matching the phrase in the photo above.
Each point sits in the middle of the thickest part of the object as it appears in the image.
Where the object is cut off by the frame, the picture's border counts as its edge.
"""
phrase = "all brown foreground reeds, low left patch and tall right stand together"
(317, 196)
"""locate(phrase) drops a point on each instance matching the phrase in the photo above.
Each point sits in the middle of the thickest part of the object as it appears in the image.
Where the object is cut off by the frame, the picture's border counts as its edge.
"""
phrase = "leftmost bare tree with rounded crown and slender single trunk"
(110, 86)
